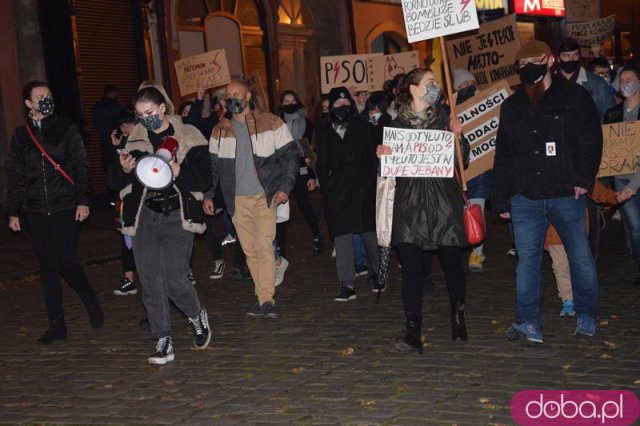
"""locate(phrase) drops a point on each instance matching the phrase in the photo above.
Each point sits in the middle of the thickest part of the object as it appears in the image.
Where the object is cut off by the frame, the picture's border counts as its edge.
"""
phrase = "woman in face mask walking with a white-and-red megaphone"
(161, 175)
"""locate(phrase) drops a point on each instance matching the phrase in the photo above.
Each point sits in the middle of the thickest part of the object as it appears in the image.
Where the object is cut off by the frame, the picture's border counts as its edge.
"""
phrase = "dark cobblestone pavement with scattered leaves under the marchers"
(321, 362)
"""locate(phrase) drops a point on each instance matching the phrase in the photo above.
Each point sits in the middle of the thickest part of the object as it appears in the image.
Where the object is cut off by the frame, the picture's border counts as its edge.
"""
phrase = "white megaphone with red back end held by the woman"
(154, 171)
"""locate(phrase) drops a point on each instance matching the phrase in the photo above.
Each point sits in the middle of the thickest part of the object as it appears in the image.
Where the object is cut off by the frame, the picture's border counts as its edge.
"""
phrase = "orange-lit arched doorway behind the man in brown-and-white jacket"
(238, 26)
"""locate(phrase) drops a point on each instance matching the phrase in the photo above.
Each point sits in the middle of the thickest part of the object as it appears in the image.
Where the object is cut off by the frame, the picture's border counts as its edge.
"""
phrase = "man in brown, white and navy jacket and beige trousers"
(255, 160)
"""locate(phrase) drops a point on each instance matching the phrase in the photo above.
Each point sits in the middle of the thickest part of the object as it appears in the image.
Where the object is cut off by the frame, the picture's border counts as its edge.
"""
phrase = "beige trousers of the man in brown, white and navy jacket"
(256, 227)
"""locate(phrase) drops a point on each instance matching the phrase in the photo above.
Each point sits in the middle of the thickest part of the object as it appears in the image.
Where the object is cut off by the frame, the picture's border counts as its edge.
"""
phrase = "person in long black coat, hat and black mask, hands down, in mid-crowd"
(347, 168)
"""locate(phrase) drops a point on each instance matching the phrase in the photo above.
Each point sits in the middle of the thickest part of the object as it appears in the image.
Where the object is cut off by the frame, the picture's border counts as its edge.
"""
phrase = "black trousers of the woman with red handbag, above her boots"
(415, 262)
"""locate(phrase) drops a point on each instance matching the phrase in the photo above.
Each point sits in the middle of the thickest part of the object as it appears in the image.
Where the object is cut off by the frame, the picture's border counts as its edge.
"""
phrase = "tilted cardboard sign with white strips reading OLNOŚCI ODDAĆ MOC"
(480, 118)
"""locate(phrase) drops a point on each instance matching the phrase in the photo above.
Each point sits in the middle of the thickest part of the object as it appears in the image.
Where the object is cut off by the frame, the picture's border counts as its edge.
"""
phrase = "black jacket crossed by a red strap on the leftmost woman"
(34, 185)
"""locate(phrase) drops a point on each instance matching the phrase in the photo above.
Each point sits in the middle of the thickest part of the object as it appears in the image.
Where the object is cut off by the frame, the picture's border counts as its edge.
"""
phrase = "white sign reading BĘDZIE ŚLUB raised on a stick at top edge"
(428, 19)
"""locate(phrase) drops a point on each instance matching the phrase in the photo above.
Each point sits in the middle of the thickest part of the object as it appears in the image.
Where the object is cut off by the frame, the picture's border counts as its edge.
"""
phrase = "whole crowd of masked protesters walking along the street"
(239, 164)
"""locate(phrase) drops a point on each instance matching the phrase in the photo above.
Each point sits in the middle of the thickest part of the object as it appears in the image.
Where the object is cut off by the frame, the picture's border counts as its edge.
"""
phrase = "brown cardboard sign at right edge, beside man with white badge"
(620, 148)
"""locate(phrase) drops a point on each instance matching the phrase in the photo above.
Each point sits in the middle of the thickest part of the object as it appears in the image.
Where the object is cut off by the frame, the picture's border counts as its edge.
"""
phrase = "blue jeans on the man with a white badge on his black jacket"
(530, 219)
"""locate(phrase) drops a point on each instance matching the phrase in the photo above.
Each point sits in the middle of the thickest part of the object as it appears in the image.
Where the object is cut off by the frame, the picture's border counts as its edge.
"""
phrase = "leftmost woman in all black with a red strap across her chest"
(52, 204)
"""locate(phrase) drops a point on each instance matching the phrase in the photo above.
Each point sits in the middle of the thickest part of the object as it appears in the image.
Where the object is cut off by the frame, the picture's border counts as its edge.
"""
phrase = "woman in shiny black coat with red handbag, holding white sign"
(428, 214)
